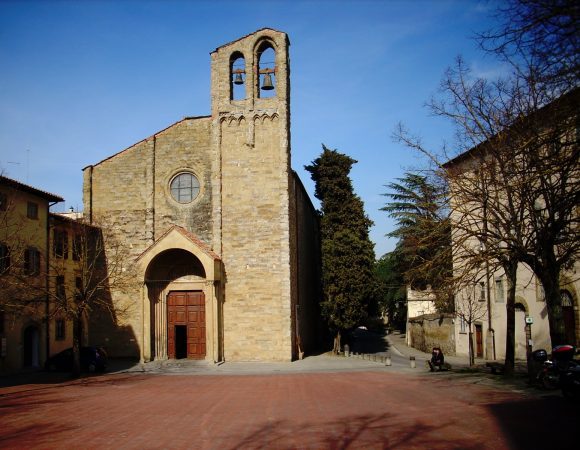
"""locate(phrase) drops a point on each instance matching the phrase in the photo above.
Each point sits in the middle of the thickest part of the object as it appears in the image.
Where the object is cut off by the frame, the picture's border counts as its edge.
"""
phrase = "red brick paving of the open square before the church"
(332, 410)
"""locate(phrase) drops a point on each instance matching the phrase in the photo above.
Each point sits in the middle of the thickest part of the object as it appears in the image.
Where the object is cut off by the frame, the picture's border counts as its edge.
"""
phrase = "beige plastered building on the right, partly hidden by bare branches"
(482, 301)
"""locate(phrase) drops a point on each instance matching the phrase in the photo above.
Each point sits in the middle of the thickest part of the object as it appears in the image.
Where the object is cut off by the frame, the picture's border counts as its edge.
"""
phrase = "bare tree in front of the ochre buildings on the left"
(28, 286)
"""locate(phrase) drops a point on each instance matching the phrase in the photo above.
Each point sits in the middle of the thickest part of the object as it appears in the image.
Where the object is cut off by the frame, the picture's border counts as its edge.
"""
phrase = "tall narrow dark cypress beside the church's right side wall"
(347, 253)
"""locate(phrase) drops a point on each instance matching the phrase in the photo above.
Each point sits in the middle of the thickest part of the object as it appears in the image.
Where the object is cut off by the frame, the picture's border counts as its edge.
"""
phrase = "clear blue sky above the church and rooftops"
(80, 81)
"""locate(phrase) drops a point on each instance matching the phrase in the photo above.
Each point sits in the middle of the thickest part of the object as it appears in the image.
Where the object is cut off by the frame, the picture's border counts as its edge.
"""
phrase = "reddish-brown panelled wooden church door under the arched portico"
(186, 325)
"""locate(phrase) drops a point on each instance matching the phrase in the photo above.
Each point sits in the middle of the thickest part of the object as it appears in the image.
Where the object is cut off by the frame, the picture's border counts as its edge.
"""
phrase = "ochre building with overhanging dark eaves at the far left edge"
(27, 330)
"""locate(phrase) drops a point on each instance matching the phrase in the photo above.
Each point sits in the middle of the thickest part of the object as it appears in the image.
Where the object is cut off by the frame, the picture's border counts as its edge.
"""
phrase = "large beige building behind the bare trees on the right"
(481, 304)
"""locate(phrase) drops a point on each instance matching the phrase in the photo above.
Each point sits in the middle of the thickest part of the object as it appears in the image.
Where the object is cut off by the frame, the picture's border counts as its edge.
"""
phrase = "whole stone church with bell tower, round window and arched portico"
(224, 235)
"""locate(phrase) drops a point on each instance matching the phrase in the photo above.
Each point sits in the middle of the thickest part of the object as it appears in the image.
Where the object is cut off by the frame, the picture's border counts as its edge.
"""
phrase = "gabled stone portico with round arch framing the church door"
(181, 298)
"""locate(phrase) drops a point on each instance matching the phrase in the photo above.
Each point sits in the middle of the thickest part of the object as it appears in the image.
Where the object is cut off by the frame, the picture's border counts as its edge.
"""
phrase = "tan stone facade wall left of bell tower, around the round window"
(130, 193)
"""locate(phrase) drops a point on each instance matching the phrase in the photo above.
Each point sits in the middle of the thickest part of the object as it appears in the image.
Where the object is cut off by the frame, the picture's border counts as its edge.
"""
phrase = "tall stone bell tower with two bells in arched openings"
(250, 189)
